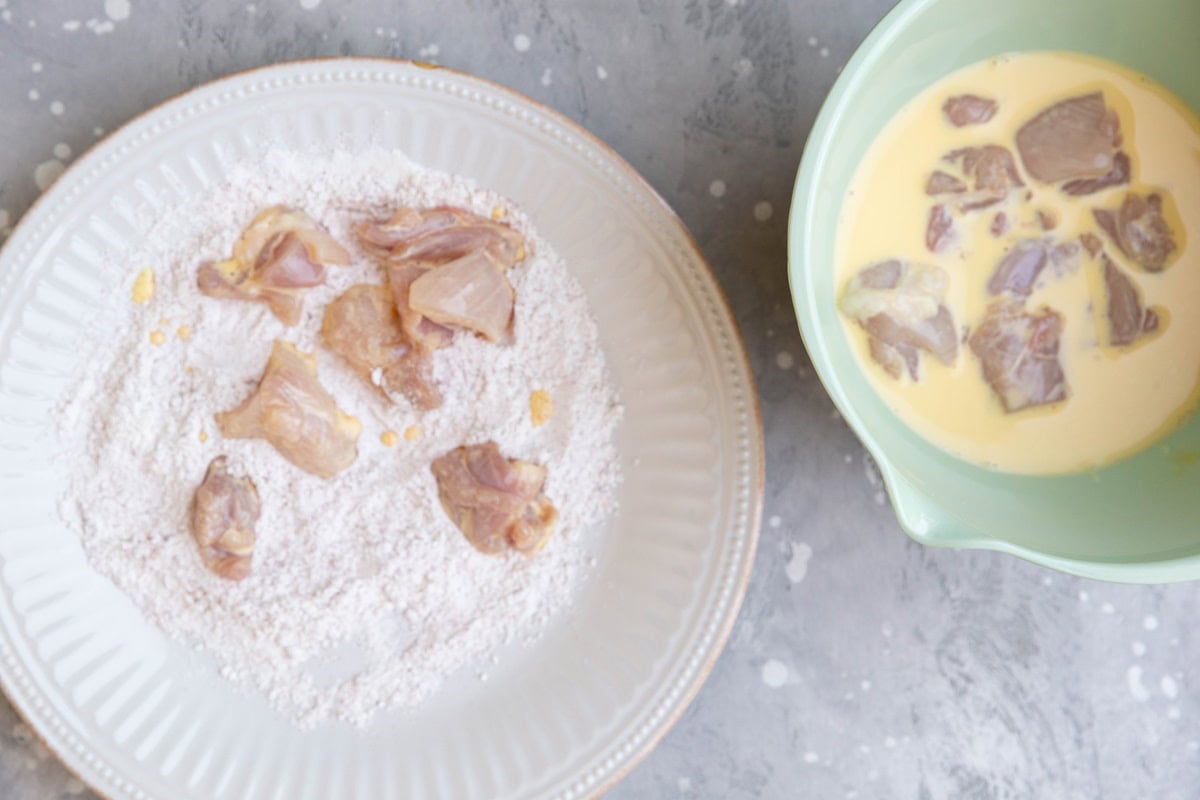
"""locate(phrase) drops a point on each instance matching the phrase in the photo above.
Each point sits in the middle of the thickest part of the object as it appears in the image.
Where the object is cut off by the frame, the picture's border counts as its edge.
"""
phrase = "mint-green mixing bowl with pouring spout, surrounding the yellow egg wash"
(1137, 521)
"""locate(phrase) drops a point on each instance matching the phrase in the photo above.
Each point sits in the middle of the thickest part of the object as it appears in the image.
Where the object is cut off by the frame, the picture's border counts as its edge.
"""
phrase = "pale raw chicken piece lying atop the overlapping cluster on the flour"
(467, 293)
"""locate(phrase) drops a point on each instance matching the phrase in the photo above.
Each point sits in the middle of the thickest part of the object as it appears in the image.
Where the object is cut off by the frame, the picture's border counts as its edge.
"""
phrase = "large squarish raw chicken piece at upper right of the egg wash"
(1076, 140)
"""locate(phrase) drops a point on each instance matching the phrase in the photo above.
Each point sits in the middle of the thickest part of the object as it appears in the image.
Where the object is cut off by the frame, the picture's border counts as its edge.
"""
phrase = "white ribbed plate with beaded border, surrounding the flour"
(139, 717)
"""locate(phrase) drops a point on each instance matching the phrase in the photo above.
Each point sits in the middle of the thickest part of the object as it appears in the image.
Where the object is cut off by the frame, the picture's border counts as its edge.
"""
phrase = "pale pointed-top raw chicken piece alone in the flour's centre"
(293, 412)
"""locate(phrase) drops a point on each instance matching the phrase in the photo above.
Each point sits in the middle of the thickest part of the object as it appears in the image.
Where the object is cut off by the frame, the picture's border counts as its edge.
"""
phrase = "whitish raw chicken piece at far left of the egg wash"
(901, 308)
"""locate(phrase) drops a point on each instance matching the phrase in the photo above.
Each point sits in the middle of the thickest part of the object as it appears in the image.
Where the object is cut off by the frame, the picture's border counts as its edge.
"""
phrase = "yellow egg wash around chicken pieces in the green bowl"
(1119, 399)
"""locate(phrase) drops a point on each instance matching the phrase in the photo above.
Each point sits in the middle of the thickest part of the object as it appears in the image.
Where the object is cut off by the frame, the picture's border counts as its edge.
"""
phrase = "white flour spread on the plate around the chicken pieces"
(364, 596)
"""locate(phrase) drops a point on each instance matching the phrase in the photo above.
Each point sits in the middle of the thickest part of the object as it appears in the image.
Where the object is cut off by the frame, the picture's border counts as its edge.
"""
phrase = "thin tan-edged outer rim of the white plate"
(758, 478)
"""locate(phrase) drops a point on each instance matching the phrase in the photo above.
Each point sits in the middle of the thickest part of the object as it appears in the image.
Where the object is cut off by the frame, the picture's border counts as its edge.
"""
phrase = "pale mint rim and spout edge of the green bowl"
(901, 490)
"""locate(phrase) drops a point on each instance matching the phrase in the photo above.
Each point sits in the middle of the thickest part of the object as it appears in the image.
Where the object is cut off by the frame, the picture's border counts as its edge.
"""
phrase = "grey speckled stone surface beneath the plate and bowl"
(863, 665)
